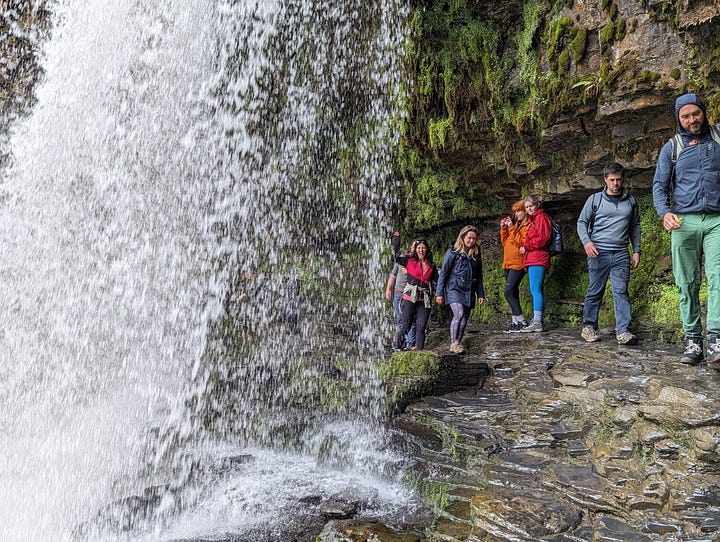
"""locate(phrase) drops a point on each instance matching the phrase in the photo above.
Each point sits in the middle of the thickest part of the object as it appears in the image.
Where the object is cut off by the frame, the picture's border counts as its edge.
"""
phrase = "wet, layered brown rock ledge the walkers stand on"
(559, 440)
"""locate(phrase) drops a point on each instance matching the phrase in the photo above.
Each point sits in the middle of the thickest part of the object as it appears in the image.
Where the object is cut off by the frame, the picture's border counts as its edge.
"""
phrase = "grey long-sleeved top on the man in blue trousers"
(617, 222)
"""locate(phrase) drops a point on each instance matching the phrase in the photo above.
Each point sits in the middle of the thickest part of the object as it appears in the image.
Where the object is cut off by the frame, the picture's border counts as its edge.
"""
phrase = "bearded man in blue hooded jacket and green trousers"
(686, 194)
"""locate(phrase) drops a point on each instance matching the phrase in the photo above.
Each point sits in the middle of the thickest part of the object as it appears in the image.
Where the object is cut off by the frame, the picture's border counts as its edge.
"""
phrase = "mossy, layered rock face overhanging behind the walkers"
(536, 97)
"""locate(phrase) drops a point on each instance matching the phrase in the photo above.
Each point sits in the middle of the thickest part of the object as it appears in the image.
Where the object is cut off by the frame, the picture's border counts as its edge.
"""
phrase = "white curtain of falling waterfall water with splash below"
(192, 229)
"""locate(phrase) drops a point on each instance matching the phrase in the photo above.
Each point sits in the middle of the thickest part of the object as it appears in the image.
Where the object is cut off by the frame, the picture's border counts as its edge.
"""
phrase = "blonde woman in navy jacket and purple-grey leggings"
(460, 281)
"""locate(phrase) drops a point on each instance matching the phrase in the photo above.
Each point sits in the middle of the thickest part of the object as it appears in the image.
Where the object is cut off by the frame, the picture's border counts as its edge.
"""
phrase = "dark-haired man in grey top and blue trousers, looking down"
(609, 221)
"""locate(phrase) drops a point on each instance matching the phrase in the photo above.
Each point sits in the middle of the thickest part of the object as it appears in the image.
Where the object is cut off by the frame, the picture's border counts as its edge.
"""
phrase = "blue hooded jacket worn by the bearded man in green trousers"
(695, 186)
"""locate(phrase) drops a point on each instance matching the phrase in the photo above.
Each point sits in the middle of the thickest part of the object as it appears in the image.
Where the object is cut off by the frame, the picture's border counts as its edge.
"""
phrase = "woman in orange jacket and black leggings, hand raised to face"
(513, 232)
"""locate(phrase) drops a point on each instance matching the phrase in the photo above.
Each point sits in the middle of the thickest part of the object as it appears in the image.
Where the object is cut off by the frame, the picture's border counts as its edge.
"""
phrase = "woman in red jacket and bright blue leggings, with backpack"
(536, 257)
